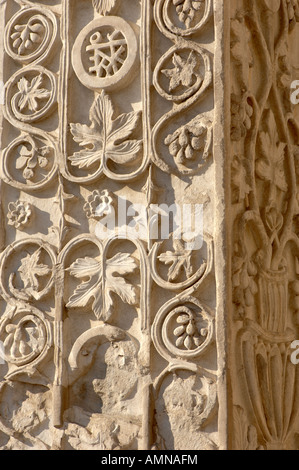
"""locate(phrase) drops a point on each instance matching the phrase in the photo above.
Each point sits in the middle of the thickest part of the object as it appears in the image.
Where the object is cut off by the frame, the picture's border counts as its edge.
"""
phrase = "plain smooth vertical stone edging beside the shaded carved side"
(222, 192)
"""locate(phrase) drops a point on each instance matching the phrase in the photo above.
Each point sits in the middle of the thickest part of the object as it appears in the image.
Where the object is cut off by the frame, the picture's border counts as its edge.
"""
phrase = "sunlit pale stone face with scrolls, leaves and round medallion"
(107, 275)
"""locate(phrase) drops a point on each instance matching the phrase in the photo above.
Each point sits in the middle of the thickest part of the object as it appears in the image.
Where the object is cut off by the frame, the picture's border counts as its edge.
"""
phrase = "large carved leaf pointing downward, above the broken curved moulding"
(93, 286)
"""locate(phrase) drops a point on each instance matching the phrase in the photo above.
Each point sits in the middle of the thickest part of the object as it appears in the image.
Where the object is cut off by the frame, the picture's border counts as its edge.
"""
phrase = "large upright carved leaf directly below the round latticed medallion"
(105, 138)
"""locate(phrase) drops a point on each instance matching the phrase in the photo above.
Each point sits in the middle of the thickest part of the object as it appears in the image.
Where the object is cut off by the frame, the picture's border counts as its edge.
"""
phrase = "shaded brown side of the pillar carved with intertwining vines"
(264, 135)
